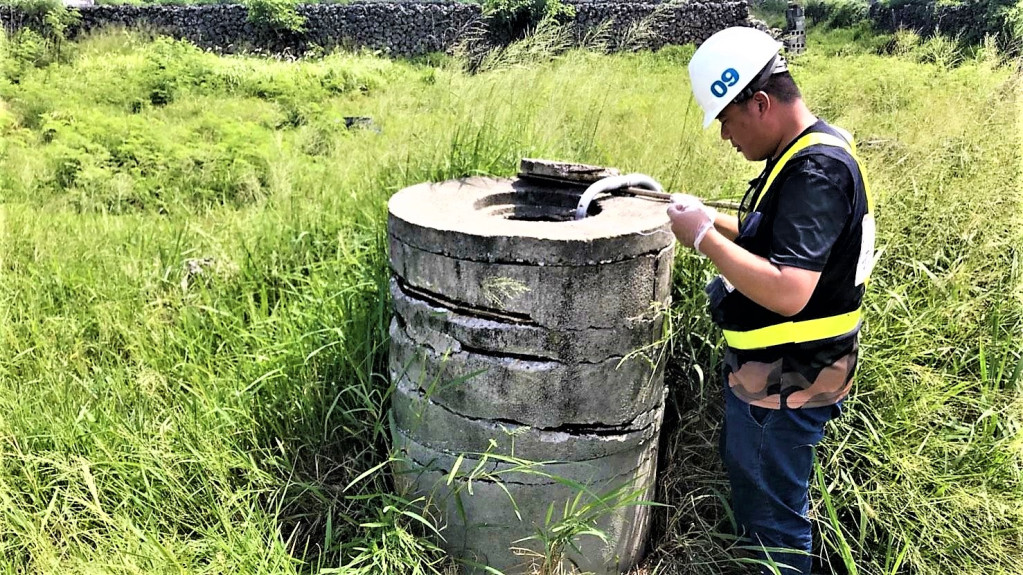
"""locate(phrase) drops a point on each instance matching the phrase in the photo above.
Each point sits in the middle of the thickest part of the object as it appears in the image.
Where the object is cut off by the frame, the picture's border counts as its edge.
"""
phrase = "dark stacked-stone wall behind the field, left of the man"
(396, 28)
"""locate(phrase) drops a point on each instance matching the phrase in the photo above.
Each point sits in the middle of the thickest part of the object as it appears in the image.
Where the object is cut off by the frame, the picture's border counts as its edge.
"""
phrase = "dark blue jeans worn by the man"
(769, 455)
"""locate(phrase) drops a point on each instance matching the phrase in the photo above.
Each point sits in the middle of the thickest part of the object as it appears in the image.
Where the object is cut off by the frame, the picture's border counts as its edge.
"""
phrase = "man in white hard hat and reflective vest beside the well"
(792, 269)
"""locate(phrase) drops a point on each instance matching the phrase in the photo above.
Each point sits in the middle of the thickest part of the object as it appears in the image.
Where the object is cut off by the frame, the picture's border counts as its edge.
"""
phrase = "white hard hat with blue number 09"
(730, 62)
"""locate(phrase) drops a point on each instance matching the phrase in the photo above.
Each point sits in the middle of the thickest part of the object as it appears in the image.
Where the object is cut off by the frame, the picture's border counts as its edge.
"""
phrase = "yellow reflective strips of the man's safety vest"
(823, 328)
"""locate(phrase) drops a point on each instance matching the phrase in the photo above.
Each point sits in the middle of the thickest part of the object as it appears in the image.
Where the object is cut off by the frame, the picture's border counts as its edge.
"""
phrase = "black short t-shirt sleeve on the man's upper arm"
(814, 207)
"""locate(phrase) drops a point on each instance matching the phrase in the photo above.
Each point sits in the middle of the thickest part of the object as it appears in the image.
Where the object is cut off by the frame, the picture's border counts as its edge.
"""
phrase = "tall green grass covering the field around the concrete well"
(194, 273)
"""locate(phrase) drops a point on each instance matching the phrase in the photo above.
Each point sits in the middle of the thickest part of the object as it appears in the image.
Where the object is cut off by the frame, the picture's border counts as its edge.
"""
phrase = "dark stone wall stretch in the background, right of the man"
(968, 22)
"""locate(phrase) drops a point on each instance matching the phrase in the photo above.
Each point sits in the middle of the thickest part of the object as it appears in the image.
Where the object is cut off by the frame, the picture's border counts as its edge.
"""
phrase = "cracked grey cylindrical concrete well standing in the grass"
(527, 367)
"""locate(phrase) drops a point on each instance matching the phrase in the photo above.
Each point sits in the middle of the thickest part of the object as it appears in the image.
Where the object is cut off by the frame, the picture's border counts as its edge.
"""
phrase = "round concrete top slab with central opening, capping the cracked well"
(497, 220)
